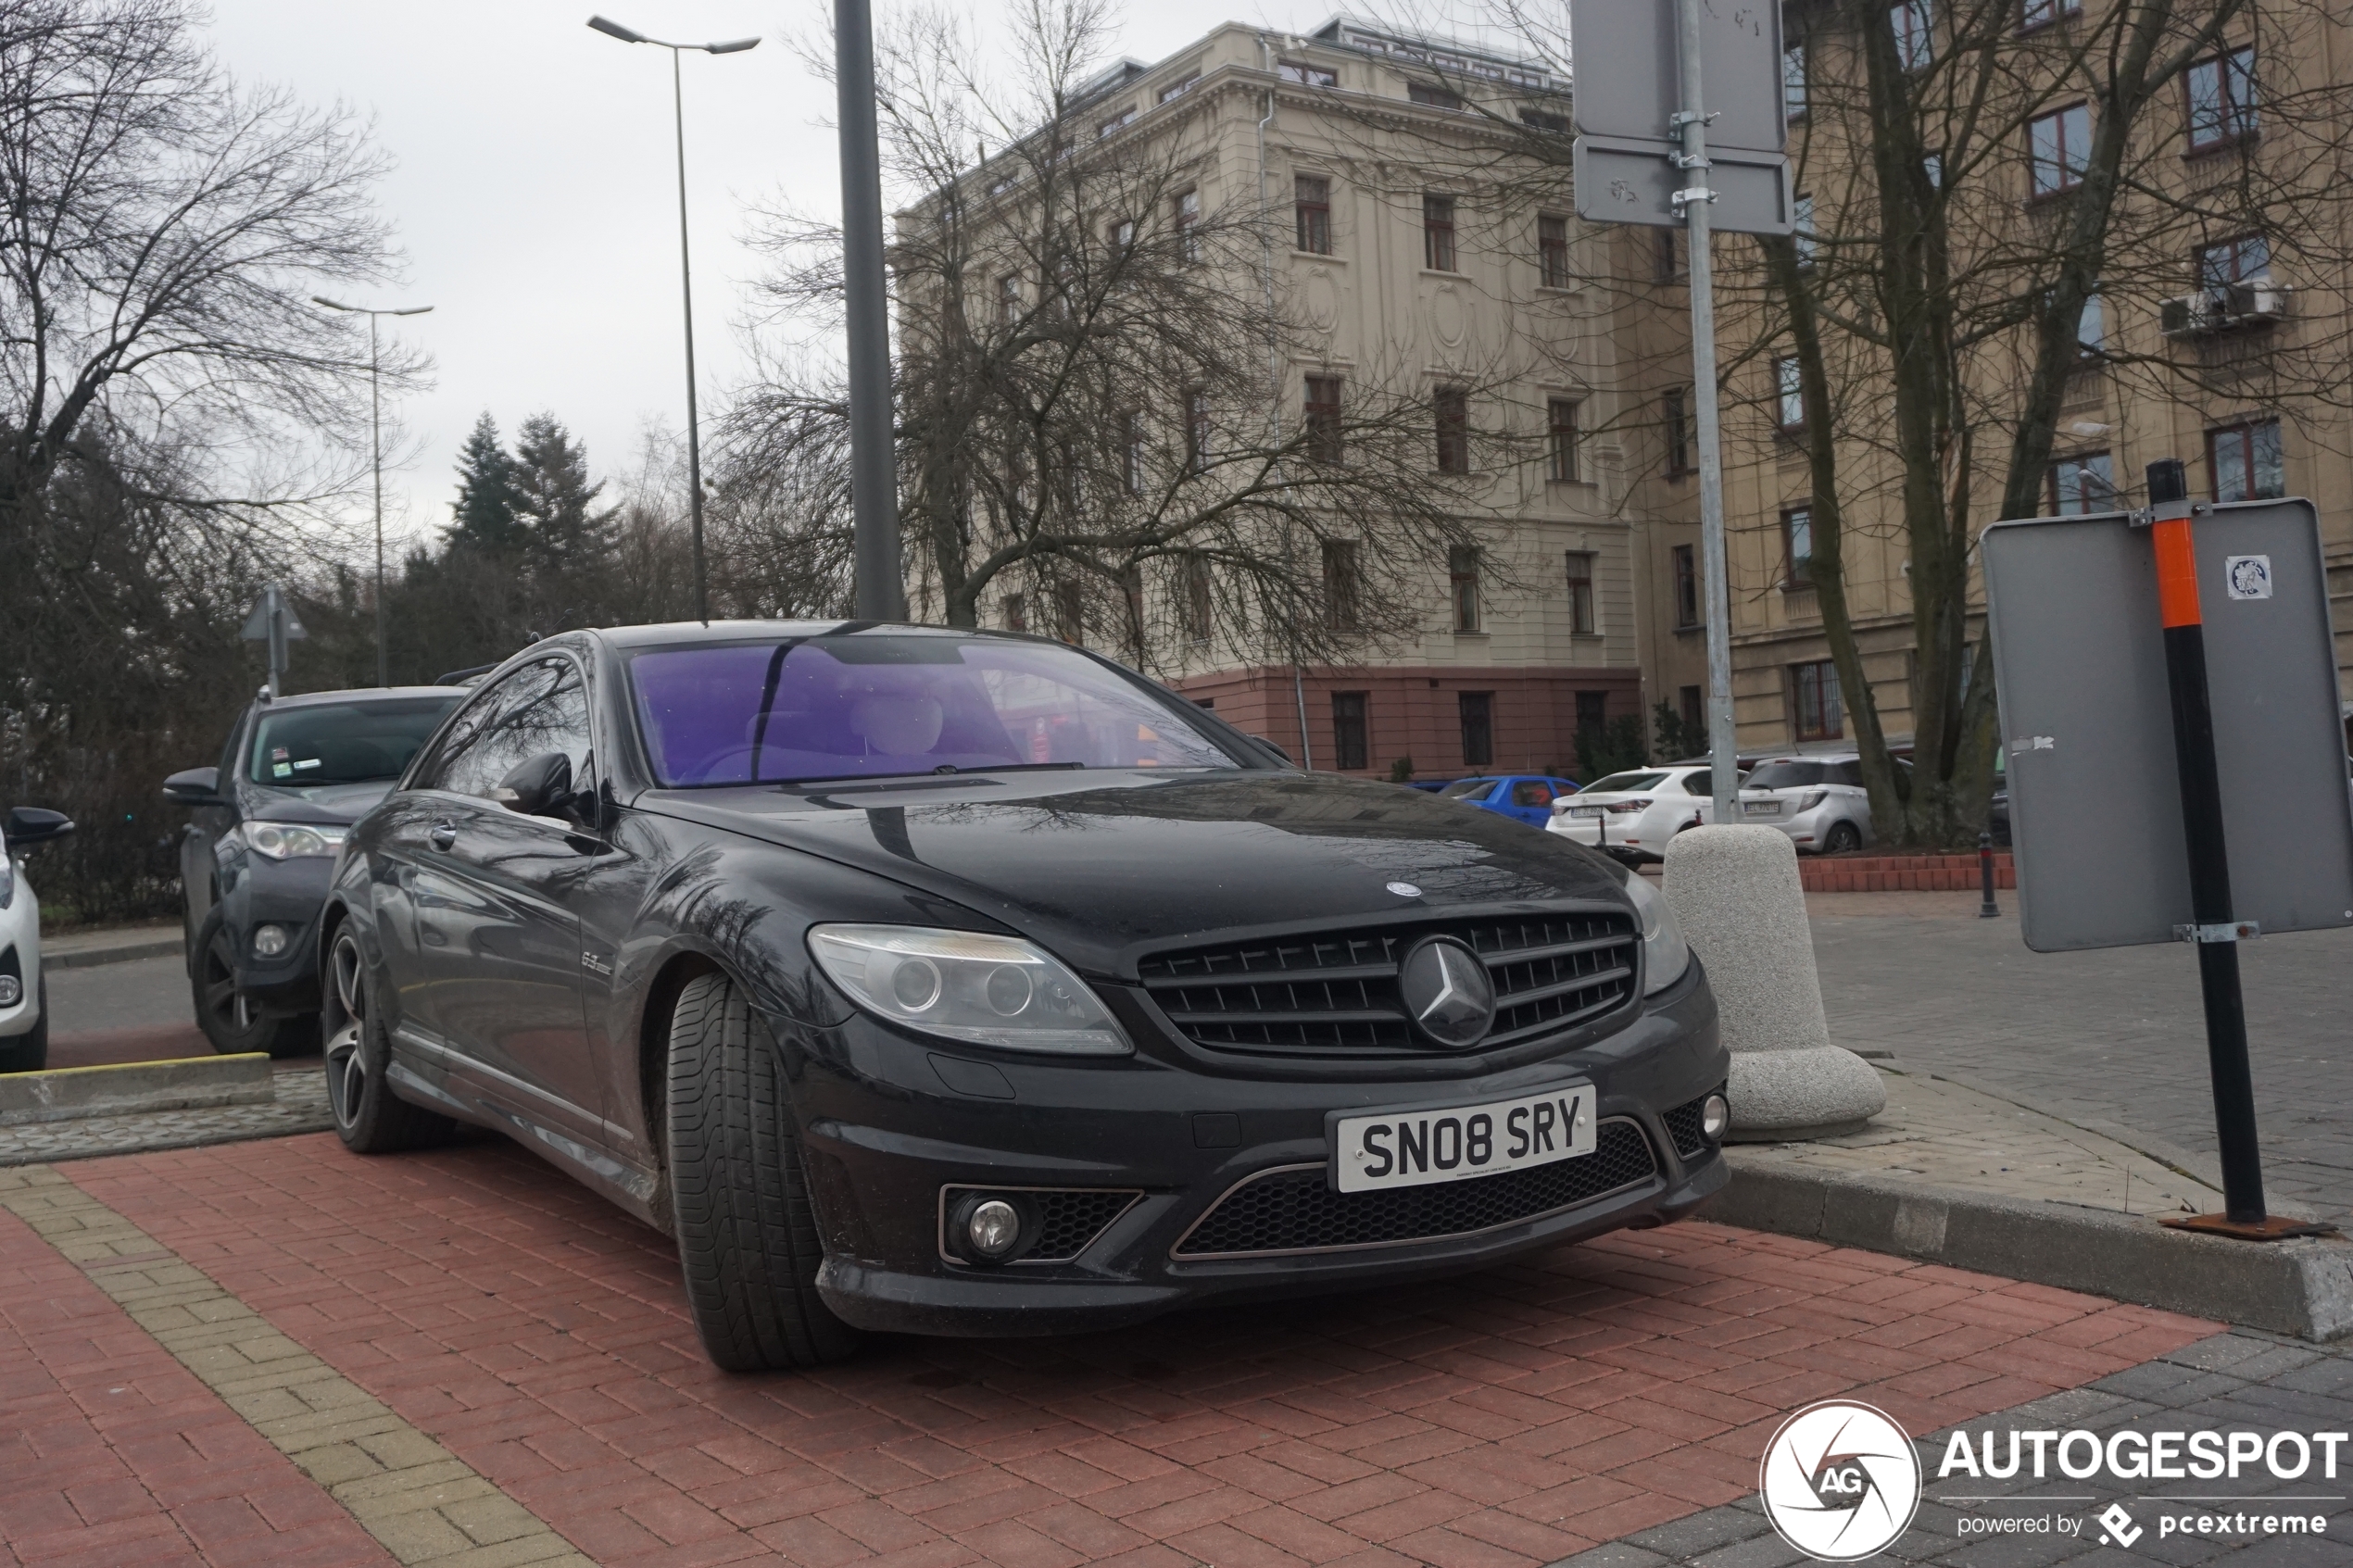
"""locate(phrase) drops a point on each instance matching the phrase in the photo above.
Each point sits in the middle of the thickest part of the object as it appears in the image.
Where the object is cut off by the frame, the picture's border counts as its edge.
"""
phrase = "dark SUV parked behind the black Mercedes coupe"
(255, 862)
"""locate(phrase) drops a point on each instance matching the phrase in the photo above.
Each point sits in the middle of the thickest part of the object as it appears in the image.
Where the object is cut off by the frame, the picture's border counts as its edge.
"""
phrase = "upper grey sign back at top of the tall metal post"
(1634, 86)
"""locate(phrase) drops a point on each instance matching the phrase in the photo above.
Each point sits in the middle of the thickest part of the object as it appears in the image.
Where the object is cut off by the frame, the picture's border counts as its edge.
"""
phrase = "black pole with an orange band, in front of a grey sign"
(2215, 932)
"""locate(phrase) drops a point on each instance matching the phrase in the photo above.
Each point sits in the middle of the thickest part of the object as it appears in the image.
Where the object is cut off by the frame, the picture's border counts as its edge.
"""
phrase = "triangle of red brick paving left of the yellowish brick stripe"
(114, 1454)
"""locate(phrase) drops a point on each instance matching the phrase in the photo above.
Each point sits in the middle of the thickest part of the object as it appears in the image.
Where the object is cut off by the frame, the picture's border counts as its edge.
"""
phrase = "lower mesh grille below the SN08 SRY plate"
(1298, 1212)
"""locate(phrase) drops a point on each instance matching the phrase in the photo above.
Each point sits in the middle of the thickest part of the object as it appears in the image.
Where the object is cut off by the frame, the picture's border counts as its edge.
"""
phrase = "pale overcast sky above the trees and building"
(535, 194)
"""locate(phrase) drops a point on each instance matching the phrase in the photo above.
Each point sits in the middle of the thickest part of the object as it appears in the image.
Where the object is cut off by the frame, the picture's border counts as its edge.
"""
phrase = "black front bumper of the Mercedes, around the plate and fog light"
(886, 1137)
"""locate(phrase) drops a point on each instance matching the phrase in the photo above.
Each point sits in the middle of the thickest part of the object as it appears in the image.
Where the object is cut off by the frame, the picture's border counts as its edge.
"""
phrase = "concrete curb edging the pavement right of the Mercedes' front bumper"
(2288, 1287)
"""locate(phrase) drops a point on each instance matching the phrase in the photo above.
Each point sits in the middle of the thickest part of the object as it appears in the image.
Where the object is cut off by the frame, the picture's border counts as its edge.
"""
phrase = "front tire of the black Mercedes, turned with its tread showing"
(747, 1233)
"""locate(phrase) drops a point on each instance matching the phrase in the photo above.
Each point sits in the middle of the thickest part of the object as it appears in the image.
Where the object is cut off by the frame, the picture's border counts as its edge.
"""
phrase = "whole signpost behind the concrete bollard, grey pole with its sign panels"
(1681, 123)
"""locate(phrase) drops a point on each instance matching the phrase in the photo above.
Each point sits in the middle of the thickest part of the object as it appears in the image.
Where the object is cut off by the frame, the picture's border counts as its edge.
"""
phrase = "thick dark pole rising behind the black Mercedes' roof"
(874, 478)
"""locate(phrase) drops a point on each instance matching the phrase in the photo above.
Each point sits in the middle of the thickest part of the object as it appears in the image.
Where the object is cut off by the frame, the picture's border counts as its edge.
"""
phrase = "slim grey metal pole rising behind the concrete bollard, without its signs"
(1724, 744)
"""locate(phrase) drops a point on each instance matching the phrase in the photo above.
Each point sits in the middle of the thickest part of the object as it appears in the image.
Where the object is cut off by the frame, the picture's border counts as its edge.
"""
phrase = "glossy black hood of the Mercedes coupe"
(1102, 864)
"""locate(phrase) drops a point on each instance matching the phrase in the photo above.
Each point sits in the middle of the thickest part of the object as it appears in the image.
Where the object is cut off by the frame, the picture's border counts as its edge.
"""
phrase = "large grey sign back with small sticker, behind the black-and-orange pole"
(2088, 730)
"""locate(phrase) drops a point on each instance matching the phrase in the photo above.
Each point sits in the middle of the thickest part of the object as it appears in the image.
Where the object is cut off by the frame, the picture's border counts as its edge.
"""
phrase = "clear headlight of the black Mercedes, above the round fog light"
(985, 991)
